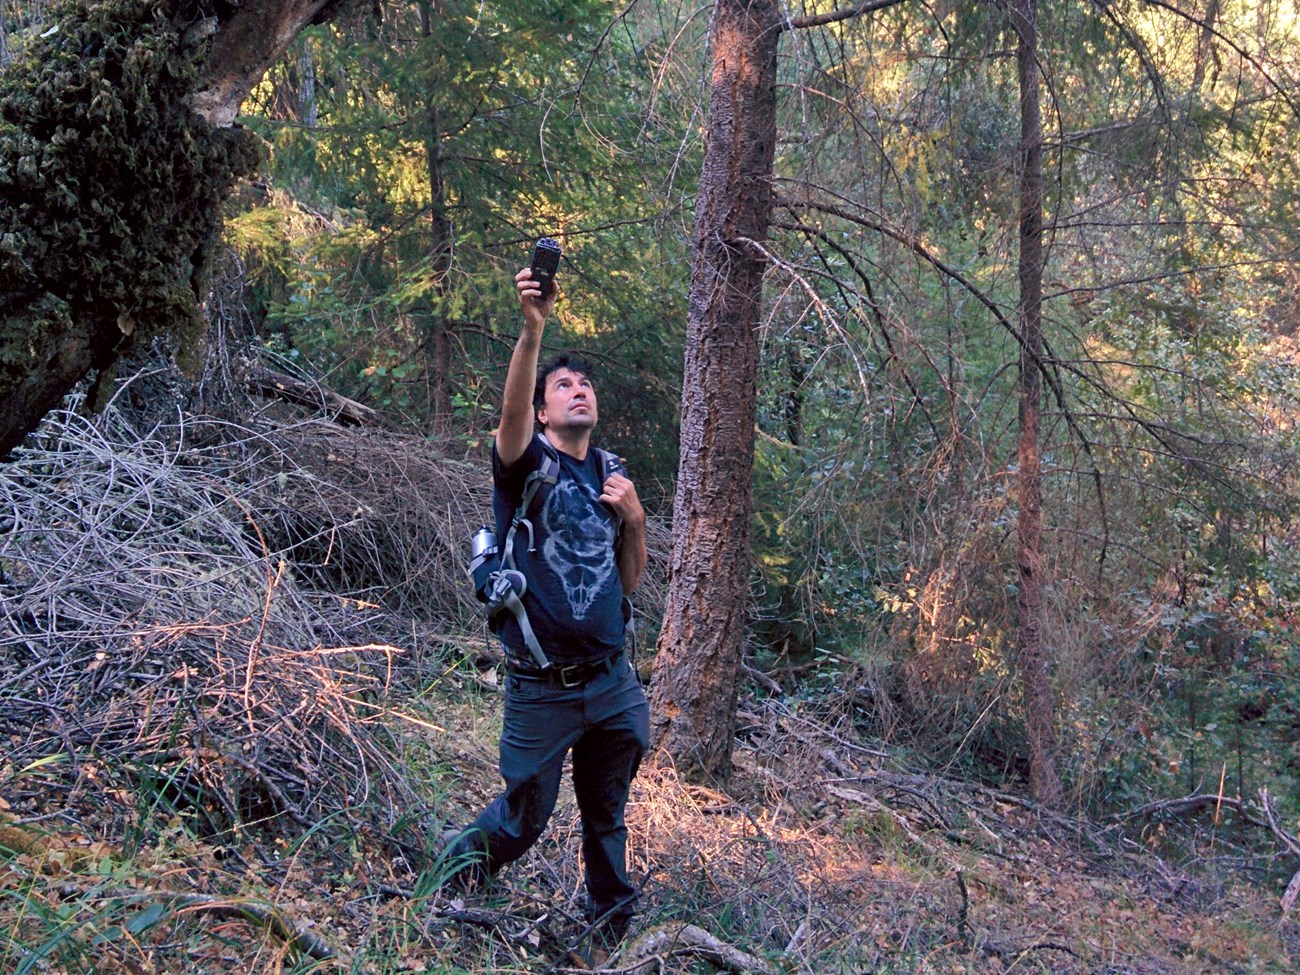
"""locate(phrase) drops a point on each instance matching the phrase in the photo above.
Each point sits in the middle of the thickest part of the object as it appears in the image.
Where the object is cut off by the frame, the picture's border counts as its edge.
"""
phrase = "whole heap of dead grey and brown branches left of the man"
(223, 612)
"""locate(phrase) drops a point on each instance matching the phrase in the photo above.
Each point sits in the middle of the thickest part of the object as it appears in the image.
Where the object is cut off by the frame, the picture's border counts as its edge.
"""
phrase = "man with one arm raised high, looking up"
(582, 553)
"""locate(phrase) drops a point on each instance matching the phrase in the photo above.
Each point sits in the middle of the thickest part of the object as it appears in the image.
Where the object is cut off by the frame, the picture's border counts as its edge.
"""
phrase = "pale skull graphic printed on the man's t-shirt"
(579, 544)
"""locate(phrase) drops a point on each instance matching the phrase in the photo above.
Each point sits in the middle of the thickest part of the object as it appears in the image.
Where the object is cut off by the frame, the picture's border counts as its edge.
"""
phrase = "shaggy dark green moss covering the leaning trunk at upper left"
(111, 187)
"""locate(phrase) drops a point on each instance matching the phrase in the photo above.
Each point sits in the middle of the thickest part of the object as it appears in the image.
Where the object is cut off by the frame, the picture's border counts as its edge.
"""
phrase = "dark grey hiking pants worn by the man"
(606, 723)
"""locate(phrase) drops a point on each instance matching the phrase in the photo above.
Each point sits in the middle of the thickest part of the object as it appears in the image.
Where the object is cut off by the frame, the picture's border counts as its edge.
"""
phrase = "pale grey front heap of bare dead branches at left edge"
(150, 635)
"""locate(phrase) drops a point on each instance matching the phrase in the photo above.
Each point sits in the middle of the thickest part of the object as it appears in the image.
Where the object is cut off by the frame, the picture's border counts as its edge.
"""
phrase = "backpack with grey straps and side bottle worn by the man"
(499, 584)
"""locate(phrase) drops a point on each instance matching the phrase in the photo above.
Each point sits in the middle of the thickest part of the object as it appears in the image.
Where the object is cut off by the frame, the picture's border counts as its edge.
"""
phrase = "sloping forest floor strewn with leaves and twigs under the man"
(817, 859)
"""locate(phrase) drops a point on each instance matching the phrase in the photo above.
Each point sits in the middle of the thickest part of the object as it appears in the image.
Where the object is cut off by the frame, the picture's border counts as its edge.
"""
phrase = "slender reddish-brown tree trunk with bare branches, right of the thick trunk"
(1035, 671)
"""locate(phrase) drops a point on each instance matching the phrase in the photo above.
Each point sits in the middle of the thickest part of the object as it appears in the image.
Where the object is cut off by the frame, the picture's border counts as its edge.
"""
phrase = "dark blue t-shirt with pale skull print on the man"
(575, 592)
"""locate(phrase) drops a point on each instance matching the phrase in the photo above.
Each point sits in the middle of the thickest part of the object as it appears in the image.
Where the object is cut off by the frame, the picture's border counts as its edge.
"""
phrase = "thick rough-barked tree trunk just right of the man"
(695, 687)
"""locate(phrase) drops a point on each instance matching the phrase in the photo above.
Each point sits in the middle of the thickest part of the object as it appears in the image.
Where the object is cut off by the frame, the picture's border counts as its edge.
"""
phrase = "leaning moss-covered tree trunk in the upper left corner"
(118, 154)
